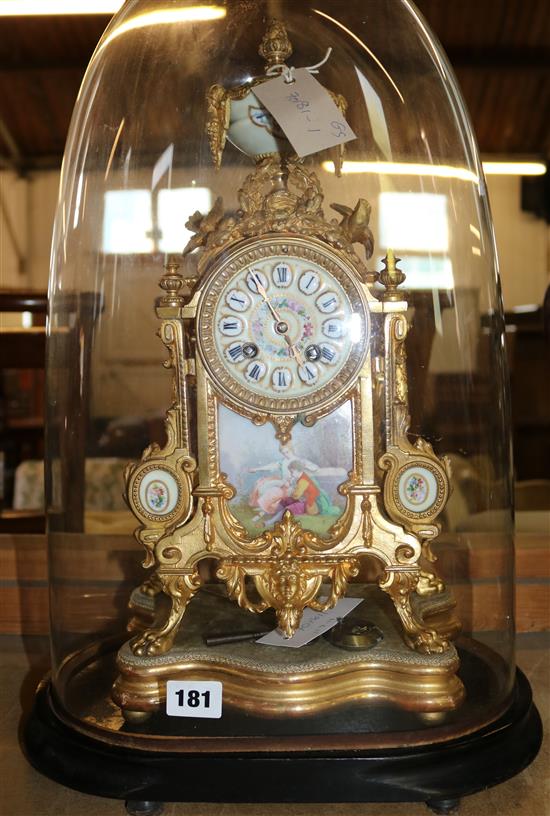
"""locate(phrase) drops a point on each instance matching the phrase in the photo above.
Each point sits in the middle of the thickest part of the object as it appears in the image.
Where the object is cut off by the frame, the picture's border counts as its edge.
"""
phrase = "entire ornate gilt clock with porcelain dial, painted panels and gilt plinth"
(288, 462)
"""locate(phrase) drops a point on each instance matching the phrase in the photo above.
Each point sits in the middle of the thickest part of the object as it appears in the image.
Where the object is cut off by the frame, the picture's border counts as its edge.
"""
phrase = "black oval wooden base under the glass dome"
(438, 774)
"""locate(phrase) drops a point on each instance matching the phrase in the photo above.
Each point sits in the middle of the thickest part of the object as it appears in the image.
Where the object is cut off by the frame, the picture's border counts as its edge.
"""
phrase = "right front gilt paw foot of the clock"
(400, 585)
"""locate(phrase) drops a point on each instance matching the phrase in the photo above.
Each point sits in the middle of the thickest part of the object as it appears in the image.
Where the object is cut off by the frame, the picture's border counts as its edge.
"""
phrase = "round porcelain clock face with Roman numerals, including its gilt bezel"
(283, 325)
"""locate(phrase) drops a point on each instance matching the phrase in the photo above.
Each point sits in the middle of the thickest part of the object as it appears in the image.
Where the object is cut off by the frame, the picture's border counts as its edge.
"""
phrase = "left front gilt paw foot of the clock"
(180, 589)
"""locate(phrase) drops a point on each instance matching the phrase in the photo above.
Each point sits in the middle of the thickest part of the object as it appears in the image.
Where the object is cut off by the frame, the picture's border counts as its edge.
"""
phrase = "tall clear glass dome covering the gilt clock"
(171, 151)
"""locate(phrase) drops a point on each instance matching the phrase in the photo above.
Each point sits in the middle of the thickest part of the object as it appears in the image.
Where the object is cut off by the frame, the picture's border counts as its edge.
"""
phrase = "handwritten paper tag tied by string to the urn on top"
(305, 111)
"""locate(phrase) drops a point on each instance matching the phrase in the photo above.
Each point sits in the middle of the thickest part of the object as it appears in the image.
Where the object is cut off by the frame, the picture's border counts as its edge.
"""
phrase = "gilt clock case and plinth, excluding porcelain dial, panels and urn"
(289, 566)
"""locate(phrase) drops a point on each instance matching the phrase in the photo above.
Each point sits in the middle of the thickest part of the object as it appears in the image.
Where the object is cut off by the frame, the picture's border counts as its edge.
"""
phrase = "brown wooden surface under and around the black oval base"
(23, 792)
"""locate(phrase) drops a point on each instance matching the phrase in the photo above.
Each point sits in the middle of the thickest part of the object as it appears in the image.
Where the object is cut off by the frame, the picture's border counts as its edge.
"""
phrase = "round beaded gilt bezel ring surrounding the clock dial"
(225, 269)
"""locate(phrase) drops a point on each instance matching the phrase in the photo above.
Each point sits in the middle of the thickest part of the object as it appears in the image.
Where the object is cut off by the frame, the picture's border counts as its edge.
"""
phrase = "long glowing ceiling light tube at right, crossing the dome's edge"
(441, 170)
